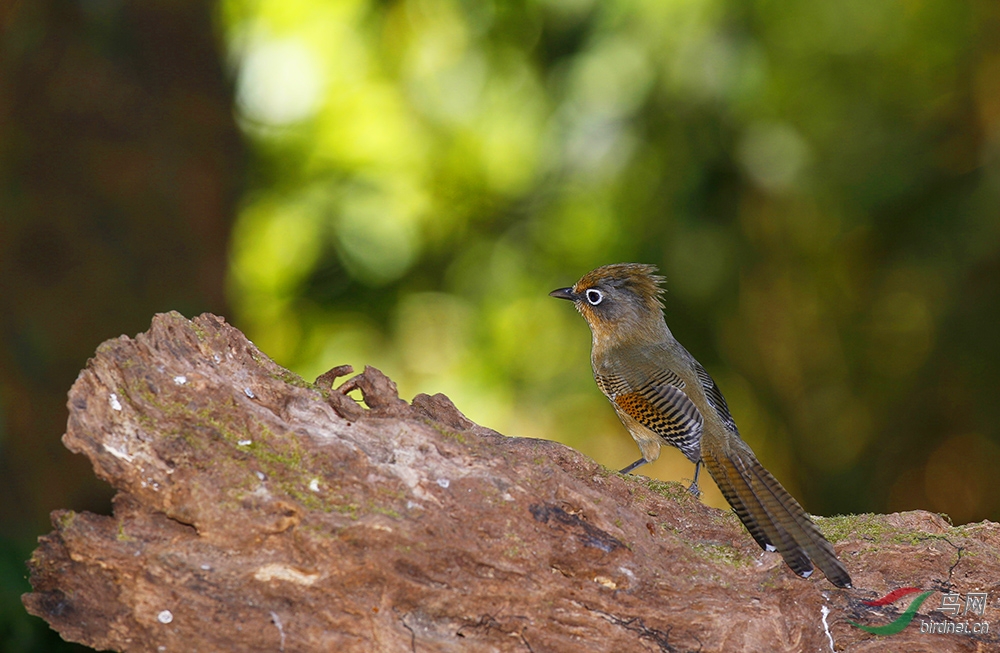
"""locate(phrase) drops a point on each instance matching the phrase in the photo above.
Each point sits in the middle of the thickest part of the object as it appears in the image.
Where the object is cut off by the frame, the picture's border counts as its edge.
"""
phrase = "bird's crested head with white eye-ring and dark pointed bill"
(619, 301)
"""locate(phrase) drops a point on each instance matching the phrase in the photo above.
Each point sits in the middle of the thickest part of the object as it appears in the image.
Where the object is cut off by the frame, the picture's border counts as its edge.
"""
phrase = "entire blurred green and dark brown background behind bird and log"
(400, 183)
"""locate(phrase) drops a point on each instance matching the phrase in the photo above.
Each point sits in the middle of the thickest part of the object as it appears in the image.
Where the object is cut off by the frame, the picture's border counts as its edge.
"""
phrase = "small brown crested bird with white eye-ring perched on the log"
(663, 395)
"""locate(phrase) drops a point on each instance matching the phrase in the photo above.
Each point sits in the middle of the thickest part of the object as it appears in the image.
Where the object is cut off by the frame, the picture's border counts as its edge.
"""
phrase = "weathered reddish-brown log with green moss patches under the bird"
(259, 512)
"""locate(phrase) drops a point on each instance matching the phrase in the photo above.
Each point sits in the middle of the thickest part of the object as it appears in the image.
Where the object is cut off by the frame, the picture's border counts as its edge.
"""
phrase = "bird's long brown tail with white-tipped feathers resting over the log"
(773, 517)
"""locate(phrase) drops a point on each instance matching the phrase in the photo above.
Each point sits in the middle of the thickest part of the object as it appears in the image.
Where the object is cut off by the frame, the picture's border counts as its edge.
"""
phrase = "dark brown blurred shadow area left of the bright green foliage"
(120, 166)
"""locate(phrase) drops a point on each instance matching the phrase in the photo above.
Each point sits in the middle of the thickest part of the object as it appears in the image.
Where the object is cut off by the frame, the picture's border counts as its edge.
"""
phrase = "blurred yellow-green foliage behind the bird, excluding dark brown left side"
(818, 182)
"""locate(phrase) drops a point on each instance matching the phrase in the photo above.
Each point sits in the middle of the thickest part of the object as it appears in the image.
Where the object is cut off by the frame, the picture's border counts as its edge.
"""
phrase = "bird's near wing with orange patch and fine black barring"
(660, 405)
